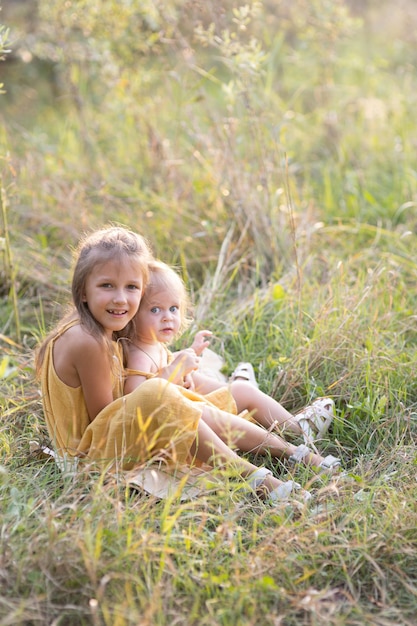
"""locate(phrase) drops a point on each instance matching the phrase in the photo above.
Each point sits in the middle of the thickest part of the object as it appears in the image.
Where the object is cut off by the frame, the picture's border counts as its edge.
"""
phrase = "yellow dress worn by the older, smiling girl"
(158, 419)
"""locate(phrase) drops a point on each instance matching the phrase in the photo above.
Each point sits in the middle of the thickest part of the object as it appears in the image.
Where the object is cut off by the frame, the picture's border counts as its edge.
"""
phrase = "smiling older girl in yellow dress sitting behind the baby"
(81, 371)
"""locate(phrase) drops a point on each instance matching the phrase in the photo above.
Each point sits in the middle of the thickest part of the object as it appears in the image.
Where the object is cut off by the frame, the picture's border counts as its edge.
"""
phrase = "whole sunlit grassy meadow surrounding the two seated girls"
(268, 149)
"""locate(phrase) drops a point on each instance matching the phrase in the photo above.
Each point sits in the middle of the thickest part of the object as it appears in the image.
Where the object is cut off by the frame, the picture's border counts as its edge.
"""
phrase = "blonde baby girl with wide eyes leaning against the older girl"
(161, 317)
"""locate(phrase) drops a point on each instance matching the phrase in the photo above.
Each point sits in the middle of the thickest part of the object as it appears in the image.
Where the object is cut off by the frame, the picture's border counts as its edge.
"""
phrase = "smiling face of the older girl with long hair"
(113, 291)
